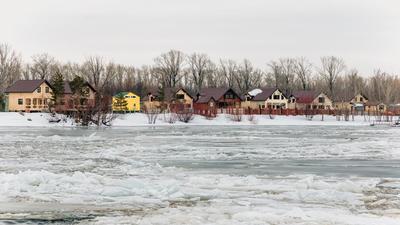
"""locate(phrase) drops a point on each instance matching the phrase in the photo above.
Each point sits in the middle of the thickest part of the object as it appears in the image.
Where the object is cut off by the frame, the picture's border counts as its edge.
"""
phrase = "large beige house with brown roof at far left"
(28, 96)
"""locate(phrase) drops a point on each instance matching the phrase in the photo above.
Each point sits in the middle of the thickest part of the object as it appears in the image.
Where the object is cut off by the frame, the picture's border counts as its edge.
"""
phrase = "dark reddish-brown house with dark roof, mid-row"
(216, 98)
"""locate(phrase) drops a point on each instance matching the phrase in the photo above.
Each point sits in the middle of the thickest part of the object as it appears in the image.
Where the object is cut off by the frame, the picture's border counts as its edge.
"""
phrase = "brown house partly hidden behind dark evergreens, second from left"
(69, 102)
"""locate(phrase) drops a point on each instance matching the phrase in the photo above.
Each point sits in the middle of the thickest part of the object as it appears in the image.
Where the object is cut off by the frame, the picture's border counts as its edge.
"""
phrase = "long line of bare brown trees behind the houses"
(194, 71)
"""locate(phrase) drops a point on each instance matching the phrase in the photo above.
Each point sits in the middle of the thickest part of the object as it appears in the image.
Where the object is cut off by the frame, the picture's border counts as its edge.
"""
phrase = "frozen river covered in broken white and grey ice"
(200, 175)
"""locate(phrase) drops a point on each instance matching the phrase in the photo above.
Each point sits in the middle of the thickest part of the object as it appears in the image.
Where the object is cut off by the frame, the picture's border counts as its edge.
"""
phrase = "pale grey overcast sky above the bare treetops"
(366, 33)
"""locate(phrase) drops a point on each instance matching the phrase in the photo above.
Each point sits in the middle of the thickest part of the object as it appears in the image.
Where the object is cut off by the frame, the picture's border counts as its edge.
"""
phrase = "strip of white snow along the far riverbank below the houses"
(12, 119)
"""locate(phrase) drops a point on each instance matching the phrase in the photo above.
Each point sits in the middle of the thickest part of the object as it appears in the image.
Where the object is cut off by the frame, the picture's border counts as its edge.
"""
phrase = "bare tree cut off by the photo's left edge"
(10, 66)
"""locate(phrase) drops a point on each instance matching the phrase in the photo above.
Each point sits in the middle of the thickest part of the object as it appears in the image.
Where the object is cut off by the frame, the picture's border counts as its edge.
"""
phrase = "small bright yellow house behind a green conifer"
(131, 102)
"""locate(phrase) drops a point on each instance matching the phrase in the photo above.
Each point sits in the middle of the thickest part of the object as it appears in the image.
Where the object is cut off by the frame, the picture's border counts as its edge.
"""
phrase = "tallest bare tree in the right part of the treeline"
(331, 69)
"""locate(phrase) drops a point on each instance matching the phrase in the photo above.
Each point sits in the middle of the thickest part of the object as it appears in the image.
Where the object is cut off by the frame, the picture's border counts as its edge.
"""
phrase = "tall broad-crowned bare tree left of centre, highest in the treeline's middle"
(168, 68)
